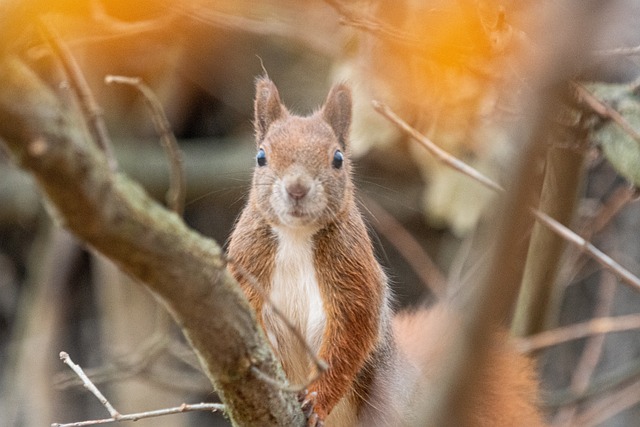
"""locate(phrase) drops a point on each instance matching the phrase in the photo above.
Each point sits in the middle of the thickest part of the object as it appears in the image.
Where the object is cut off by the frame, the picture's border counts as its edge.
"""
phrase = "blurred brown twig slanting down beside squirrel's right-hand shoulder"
(409, 248)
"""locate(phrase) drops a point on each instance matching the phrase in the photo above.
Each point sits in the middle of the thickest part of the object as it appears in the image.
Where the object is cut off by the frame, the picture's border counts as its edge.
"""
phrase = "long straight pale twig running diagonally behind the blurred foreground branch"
(604, 260)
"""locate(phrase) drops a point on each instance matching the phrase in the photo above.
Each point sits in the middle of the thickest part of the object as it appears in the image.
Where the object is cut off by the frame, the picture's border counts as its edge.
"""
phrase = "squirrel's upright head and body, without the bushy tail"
(300, 217)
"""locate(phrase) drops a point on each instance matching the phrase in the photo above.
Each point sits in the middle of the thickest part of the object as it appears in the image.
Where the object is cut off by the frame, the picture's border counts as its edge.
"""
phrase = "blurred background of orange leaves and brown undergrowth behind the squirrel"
(454, 70)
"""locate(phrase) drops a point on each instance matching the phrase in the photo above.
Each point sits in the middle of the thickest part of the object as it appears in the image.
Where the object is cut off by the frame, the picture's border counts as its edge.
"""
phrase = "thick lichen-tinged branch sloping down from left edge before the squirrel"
(117, 218)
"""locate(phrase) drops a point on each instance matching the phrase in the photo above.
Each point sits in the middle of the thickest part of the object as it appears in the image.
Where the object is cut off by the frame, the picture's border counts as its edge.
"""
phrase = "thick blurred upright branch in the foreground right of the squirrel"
(491, 297)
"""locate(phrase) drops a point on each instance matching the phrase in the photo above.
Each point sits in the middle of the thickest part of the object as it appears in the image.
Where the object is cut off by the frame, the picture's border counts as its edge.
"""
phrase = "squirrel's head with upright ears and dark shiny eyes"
(302, 175)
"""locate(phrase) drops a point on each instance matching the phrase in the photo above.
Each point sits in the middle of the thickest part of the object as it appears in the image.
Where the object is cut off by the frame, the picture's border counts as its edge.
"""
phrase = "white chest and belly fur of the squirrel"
(295, 292)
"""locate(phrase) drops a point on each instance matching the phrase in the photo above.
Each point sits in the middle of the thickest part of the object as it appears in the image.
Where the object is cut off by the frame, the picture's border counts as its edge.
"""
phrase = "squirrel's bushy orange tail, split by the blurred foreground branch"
(506, 395)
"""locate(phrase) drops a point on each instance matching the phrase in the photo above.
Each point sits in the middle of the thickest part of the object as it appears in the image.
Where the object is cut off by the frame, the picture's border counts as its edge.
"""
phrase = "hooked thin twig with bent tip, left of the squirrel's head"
(177, 185)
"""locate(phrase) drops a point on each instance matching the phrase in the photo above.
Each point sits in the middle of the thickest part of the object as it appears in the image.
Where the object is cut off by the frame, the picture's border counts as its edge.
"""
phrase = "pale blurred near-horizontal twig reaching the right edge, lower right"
(576, 331)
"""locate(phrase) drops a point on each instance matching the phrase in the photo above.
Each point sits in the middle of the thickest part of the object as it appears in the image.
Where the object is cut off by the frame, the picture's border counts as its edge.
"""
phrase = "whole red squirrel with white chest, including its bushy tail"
(302, 239)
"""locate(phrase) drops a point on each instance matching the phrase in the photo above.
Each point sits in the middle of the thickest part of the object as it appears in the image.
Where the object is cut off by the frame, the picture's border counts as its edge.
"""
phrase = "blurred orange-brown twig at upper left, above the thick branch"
(90, 108)
